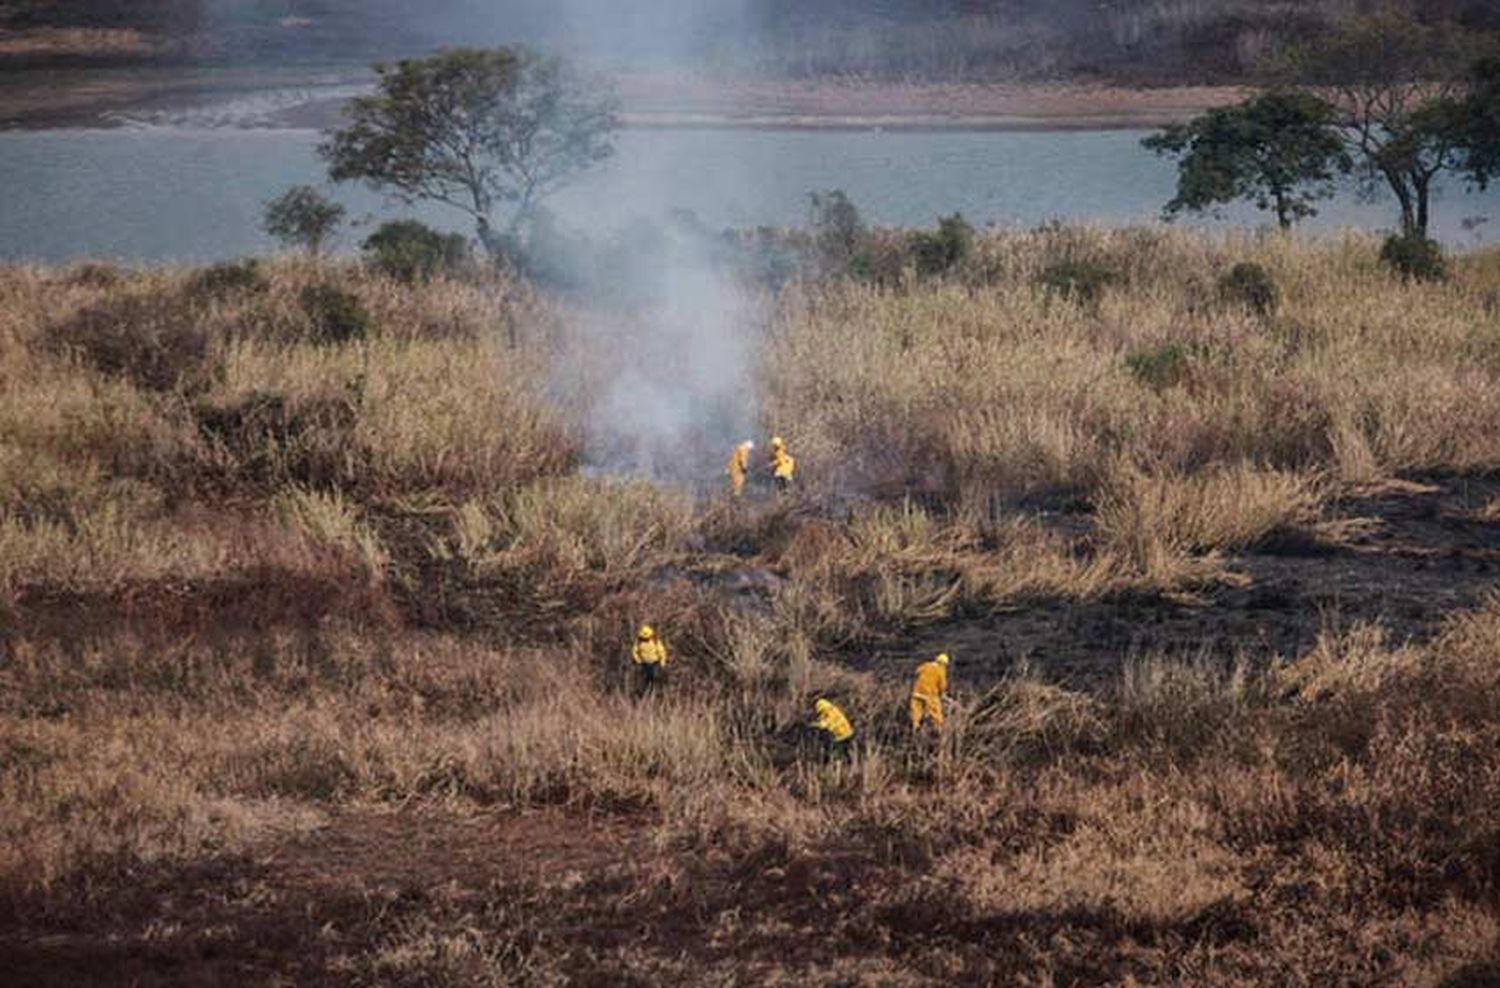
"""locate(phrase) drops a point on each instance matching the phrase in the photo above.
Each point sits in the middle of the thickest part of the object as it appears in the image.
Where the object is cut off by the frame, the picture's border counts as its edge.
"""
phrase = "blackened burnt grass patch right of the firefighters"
(1417, 555)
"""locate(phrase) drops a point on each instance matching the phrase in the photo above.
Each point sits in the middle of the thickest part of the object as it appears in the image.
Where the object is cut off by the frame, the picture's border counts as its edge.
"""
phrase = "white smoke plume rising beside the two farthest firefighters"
(674, 386)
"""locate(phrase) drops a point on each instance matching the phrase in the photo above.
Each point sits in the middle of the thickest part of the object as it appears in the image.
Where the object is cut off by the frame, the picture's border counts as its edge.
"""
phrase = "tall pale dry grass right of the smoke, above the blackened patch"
(992, 386)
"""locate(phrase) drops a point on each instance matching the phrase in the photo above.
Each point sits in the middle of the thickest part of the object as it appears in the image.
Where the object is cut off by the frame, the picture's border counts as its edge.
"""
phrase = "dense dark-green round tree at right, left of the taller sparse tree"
(1279, 151)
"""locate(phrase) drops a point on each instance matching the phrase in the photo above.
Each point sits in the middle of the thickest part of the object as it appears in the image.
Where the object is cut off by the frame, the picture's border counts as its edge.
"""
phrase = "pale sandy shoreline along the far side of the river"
(314, 98)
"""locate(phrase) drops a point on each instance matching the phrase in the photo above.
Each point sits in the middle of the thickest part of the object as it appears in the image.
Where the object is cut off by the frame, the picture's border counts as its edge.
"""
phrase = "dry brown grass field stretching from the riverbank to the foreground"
(313, 636)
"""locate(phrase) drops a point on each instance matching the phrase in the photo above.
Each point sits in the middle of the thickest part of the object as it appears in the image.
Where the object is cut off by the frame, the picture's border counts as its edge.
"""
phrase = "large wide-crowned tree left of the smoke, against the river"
(476, 130)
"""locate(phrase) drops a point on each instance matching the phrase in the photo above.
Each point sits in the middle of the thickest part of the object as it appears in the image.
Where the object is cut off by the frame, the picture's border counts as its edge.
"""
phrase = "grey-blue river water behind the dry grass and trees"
(194, 193)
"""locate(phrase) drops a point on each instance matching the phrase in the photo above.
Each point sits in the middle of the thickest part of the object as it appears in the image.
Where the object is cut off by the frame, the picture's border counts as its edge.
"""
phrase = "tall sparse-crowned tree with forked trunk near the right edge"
(1400, 94)
